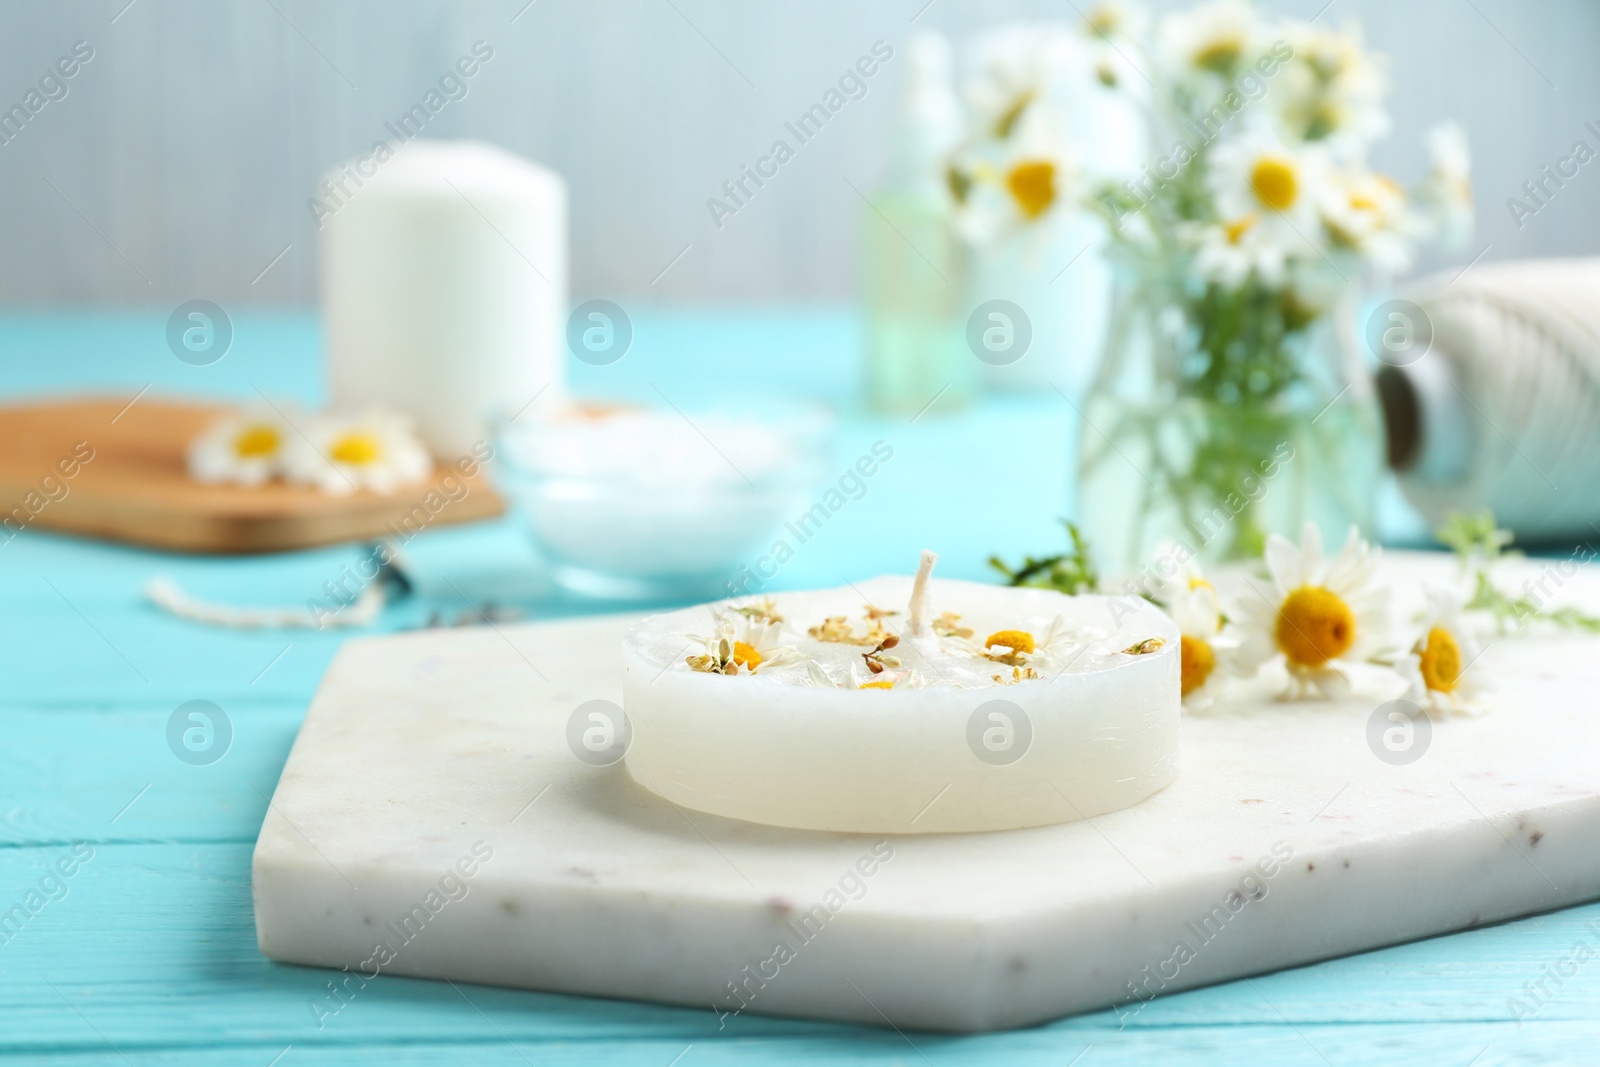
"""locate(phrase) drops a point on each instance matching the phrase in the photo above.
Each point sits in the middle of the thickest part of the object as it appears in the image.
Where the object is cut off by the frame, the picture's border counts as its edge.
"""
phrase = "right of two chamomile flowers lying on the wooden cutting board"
(377, 450)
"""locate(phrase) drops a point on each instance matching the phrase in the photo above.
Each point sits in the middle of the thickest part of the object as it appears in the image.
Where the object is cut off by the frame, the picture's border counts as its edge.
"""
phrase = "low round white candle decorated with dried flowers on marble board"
(958, 732)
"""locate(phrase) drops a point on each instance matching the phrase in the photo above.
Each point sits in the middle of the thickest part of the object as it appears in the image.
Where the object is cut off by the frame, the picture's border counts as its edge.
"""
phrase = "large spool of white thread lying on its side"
(1503, 409)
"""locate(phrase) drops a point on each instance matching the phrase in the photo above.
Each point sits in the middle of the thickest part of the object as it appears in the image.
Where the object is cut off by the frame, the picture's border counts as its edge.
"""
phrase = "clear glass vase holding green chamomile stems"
(1220, 417)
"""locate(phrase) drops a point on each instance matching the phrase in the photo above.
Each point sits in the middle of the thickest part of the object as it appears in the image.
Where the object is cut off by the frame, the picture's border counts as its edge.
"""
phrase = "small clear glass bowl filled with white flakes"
(663, 505)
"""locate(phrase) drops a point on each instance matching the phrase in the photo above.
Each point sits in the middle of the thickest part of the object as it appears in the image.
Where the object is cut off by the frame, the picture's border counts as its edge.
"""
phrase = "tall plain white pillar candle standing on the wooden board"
(446, 287)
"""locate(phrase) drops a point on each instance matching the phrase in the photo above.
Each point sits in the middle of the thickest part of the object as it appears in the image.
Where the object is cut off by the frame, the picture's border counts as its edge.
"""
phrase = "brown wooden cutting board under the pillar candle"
(116, 471)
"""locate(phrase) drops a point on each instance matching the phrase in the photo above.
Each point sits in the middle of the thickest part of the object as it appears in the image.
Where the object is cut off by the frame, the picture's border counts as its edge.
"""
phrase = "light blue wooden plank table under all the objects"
(148, 951)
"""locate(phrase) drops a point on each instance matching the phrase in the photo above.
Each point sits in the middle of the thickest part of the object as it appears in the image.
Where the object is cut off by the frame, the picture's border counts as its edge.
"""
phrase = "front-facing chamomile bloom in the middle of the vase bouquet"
(1279, 185)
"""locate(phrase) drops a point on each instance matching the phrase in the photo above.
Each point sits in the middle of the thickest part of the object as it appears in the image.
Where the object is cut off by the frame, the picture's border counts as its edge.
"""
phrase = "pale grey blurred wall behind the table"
(193, 140)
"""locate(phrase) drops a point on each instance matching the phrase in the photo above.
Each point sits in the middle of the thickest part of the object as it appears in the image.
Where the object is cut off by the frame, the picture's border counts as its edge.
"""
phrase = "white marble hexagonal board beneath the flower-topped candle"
(1284, 841)
